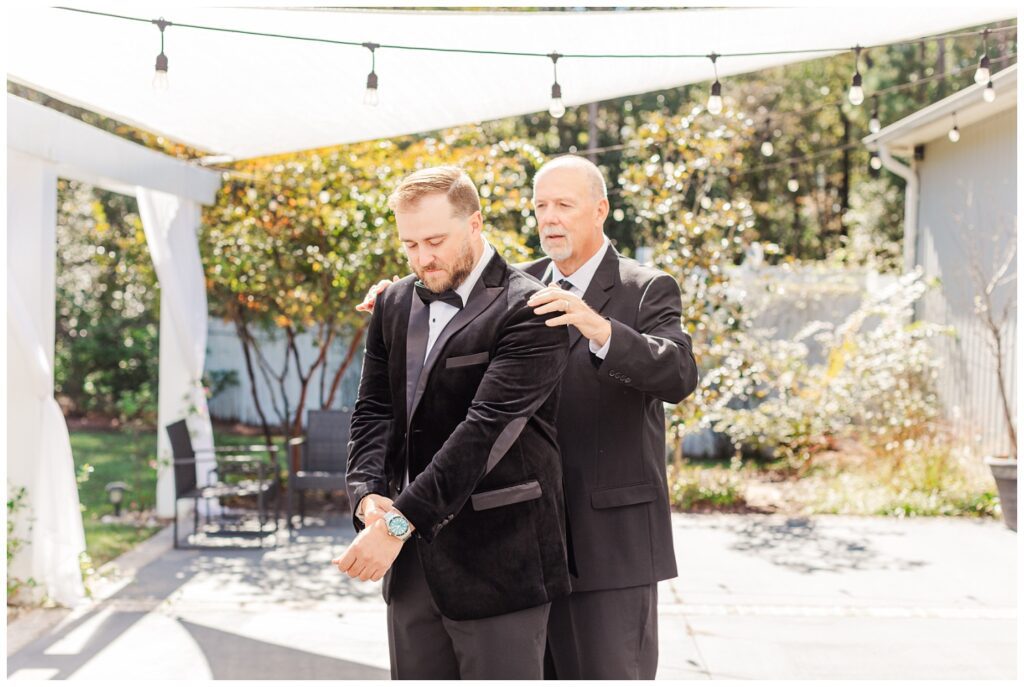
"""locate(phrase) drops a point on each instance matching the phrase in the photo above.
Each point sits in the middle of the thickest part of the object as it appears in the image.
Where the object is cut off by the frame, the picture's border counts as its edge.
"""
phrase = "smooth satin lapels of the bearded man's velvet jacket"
(487, 289)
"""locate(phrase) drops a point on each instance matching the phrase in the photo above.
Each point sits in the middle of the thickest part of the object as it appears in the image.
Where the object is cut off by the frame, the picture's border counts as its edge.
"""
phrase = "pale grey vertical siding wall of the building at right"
(969, 198)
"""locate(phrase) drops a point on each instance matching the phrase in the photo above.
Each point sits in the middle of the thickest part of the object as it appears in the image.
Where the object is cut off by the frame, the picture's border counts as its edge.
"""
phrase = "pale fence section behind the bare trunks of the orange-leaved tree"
(236, 404)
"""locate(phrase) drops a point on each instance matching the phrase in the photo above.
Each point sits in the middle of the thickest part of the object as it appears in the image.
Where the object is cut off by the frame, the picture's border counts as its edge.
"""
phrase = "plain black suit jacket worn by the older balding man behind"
(612, 426)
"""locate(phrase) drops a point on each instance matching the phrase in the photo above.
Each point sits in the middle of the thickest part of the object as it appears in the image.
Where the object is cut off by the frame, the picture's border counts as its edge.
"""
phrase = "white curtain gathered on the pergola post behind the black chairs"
(170, 224)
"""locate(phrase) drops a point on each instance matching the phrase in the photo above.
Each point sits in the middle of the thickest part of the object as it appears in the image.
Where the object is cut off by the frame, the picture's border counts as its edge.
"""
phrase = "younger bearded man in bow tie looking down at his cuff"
(454, 465)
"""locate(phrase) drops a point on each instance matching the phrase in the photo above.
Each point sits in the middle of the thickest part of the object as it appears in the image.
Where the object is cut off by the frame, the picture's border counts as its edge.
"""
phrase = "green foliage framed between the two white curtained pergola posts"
(108, 307)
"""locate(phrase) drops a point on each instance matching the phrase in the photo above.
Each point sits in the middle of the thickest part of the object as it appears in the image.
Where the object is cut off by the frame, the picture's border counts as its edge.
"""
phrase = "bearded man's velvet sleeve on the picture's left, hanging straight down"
(372, 419)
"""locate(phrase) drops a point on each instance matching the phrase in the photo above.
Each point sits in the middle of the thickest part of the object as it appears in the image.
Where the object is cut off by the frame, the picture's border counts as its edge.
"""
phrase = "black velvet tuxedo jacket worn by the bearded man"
(476, 425)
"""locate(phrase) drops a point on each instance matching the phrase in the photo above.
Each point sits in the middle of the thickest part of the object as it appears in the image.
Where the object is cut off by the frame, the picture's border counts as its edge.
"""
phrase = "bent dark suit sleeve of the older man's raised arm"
(658, 357)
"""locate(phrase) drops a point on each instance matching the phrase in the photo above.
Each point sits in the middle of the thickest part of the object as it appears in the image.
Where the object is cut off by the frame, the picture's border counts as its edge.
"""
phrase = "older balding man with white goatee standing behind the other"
(628, 357)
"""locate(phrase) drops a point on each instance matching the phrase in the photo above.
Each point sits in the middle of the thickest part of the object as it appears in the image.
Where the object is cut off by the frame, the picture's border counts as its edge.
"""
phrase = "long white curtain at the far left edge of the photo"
(39, 457)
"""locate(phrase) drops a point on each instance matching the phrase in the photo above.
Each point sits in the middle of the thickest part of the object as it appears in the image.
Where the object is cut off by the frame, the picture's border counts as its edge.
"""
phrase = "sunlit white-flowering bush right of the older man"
(876, 382)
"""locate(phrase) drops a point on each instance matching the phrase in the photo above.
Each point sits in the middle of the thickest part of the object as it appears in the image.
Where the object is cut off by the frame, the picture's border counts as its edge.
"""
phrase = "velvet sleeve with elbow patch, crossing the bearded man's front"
(528, 365)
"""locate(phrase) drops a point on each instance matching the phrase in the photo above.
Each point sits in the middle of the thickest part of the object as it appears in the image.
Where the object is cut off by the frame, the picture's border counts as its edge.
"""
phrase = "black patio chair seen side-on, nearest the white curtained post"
(241, 471)
